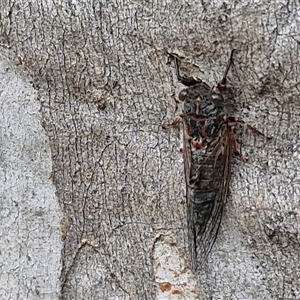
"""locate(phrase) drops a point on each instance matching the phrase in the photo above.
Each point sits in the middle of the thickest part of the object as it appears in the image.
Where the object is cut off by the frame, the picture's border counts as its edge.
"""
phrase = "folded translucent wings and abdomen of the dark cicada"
(207, 195)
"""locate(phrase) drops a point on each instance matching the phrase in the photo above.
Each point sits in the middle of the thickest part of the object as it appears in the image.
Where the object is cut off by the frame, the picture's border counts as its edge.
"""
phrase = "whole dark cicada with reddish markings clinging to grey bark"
(209, 141)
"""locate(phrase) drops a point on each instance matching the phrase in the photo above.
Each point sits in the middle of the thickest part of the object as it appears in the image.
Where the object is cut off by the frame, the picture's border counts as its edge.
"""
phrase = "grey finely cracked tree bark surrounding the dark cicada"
(104, 90)
